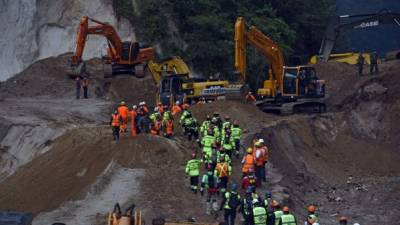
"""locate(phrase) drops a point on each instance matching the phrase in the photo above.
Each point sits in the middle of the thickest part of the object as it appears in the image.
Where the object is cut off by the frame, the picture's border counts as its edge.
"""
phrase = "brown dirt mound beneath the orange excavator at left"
(48, 77)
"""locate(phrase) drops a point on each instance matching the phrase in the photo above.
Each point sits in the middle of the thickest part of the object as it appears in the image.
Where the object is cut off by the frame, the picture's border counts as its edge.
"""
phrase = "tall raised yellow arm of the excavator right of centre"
(265, 45)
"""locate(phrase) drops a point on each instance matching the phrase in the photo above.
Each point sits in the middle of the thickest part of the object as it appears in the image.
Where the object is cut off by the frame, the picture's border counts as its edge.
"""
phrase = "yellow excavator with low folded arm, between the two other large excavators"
(176, 83)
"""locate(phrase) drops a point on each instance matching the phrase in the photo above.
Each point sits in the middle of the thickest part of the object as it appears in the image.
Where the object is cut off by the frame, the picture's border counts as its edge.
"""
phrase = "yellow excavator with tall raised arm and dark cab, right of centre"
(287, 90)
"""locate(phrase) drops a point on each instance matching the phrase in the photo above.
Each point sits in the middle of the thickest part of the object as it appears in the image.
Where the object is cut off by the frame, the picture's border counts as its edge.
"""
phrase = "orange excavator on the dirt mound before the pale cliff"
(123, 57)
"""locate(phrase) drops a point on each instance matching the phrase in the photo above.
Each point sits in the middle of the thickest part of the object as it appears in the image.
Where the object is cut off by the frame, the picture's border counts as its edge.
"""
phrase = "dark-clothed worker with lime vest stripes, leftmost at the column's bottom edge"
(230, 203)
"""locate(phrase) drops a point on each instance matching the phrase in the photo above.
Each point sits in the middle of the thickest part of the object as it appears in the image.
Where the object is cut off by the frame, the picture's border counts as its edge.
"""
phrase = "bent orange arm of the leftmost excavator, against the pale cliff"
(103, 29)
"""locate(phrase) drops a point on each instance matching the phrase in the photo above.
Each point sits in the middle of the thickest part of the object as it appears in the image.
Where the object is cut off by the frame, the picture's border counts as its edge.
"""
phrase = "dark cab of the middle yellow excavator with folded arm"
(171, 89)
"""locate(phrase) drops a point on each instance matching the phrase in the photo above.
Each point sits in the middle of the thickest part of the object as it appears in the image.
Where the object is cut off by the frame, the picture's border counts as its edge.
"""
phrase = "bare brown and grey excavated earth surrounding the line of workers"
(58, 160)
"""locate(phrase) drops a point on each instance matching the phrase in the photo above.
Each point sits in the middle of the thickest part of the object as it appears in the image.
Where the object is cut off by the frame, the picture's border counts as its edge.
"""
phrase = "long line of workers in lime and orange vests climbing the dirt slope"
(220, 145)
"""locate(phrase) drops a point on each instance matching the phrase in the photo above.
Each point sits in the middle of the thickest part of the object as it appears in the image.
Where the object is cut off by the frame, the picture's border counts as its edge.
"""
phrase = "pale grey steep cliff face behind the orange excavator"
(36, 29)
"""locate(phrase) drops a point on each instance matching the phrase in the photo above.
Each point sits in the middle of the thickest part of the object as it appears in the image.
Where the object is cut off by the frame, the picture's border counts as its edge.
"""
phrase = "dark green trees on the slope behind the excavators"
(201, 31)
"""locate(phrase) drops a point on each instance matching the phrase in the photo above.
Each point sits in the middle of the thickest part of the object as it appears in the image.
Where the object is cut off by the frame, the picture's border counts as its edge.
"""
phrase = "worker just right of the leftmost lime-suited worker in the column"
(210, 183)
